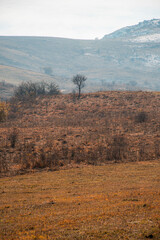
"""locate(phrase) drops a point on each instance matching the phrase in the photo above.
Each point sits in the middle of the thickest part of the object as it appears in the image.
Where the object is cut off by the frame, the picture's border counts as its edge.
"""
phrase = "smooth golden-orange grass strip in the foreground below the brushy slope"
(117, 201)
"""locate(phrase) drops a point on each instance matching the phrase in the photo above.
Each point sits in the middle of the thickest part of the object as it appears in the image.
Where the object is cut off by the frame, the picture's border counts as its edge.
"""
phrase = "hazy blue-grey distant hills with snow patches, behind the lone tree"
(126, 59)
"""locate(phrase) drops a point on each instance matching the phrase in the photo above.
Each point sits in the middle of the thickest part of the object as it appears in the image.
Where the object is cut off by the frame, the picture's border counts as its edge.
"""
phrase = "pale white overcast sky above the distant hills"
(83, 19)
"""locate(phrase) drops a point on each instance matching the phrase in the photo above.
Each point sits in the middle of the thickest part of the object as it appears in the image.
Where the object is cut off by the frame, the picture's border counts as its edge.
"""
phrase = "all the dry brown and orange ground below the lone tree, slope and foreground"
(81, 169)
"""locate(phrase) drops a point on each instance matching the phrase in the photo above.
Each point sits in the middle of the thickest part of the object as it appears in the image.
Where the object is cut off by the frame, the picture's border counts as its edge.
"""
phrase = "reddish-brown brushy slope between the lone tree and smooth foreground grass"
(61, 130)
